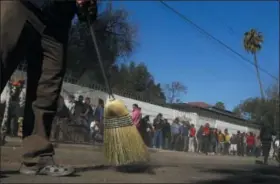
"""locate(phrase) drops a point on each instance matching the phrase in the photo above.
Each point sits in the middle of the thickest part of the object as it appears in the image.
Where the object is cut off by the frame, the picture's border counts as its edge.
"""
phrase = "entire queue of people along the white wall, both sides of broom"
(180, 135)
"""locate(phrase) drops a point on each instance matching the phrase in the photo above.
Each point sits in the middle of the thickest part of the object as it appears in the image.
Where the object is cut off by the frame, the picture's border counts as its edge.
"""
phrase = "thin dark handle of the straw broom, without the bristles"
(107, 85)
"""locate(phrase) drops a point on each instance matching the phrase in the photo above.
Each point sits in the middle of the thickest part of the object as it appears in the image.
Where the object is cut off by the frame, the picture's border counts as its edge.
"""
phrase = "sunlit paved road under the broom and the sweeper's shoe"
(165, 167)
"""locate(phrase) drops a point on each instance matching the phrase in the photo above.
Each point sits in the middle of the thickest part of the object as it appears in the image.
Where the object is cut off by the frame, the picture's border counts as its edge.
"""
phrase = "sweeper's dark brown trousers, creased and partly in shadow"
(21, 32)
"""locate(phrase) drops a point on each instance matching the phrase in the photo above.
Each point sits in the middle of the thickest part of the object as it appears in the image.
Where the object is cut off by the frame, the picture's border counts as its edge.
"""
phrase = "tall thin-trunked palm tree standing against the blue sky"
(253, 43)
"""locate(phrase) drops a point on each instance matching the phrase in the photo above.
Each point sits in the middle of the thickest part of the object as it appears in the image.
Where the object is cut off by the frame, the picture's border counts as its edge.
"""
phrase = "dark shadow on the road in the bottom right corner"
(244, 175)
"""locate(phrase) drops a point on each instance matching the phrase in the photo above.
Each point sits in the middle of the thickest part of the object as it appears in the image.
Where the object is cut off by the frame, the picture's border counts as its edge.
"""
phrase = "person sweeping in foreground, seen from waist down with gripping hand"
(42, 27)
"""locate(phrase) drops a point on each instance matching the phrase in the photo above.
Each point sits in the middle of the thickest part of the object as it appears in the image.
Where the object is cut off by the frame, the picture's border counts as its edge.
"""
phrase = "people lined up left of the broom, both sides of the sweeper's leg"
(71, 110)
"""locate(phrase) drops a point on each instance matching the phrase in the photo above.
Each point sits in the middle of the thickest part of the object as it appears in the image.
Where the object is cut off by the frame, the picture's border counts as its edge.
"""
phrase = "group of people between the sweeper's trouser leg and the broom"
(80, 111)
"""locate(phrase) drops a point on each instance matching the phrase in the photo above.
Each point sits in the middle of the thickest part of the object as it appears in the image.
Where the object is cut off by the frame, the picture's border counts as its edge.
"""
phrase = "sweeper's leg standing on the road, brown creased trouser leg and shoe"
(36, 145)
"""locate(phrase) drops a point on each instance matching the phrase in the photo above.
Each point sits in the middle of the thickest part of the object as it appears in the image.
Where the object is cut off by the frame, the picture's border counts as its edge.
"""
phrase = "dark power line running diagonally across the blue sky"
(214, 38)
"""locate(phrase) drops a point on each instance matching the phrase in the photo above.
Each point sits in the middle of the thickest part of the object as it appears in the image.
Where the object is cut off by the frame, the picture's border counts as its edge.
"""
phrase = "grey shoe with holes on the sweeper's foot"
(47, 169)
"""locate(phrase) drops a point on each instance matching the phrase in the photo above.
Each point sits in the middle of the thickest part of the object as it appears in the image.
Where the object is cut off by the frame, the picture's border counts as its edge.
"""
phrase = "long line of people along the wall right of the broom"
(182, 135)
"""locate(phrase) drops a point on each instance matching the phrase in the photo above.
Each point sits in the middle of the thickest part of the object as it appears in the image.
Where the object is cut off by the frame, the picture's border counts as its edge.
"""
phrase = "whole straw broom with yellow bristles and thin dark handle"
(123, 145)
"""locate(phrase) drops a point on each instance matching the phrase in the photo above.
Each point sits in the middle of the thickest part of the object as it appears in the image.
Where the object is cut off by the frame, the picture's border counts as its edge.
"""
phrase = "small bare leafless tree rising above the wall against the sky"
(174, 91)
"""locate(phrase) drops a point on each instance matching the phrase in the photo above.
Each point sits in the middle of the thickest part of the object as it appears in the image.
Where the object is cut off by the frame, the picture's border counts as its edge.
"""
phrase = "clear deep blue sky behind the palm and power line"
(174, 50)
